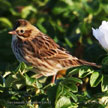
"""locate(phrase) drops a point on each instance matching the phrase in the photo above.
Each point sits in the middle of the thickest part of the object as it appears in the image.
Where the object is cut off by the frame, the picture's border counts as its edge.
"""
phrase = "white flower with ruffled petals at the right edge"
(101, 34)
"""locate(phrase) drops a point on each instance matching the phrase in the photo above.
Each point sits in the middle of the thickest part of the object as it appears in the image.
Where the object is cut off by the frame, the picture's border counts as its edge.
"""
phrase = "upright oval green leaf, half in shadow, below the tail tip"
(95, 79)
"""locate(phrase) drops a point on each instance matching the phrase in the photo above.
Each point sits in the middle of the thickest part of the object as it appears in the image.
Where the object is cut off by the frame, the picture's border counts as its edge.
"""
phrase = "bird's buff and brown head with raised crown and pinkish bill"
(23, 29)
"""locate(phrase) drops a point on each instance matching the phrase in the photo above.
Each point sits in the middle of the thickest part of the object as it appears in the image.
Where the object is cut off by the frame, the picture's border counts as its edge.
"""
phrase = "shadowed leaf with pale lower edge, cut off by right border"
(104, 84)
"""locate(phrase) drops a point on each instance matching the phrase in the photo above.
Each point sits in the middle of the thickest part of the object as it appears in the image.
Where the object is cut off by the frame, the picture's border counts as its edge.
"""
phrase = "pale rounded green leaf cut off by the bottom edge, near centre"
(63, 101)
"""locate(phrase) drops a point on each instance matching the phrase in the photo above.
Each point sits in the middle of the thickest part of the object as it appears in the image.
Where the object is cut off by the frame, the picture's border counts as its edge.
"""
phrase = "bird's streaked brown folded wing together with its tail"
(43, 47)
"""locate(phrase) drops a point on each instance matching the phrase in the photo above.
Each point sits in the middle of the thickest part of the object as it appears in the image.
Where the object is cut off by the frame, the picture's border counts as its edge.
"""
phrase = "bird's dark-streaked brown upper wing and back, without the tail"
(44, 47)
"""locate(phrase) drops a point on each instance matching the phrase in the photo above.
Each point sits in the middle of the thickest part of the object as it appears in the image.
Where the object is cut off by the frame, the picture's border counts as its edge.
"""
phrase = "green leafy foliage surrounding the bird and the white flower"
(69, 23)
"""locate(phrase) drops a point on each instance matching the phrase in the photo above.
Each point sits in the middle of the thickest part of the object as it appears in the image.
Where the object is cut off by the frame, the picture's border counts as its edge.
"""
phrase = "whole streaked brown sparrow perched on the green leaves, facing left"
(40, 51)
